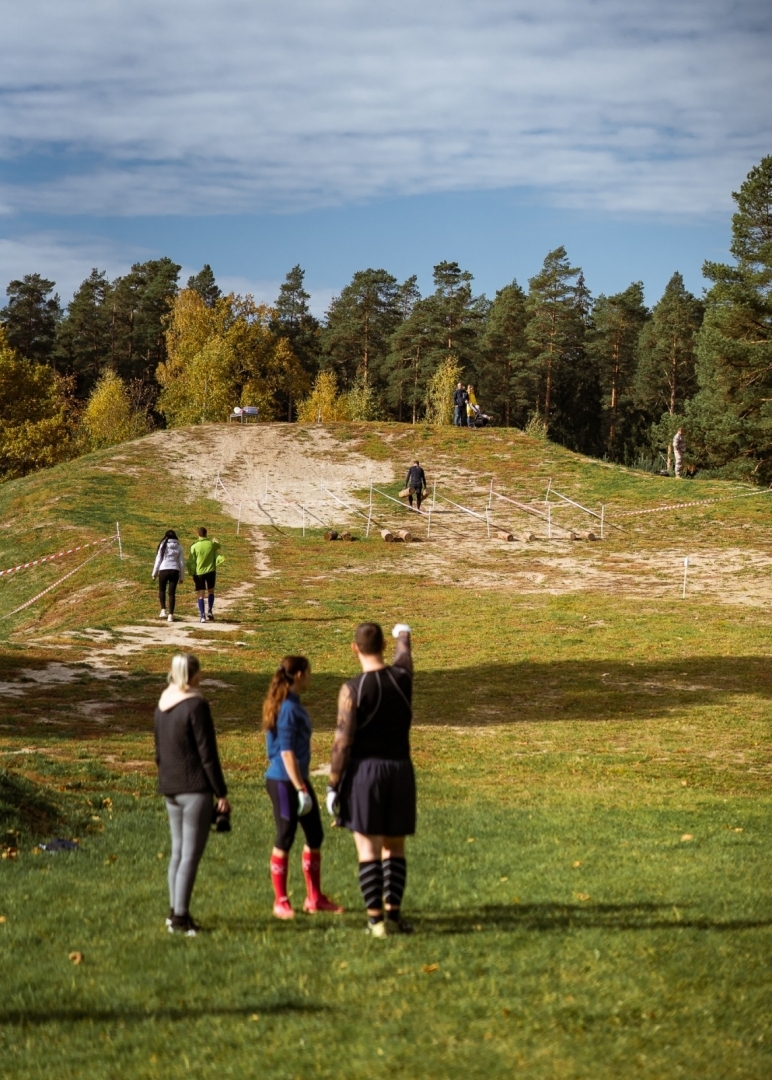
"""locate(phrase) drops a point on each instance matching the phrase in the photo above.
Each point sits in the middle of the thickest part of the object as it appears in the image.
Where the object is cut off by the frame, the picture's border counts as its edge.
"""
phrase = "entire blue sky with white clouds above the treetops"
(342, 136)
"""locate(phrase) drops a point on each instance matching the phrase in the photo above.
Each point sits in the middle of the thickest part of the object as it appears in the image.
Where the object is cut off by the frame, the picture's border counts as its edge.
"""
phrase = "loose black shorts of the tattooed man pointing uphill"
(378, 798)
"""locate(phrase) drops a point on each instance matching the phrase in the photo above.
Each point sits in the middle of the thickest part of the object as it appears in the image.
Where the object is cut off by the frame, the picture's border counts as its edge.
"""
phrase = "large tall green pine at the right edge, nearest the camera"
(733, 412)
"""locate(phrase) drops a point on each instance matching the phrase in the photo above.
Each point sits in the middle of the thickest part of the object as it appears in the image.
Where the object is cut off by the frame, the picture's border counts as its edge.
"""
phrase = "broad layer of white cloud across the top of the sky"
(193, 107)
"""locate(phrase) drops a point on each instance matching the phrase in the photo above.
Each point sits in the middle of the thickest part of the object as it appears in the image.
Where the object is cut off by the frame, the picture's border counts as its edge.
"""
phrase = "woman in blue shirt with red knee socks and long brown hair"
(288, 728)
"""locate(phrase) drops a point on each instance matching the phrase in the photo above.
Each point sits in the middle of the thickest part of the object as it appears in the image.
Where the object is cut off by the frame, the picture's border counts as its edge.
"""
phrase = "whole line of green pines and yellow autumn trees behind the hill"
(607, 376)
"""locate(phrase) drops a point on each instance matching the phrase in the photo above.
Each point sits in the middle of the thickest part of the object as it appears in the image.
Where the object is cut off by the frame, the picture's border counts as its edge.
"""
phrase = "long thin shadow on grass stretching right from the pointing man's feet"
(551, 917)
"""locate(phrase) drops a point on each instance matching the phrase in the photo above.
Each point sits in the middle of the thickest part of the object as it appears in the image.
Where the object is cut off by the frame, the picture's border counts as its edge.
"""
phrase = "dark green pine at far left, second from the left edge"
(85, 336)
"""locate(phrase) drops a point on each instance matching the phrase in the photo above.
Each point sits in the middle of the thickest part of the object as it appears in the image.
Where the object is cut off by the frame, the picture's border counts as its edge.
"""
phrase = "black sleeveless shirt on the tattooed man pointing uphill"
(384, 714)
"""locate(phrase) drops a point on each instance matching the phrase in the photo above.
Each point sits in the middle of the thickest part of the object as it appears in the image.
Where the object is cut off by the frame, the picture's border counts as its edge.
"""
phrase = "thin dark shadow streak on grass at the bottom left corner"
(23, 1018)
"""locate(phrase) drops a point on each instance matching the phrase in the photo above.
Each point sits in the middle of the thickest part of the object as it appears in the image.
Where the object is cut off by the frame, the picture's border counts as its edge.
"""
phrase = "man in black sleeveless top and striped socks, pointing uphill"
(372, 782)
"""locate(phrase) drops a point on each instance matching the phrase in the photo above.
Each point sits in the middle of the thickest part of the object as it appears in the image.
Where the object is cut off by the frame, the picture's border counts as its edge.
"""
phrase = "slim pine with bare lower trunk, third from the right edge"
(618, 321)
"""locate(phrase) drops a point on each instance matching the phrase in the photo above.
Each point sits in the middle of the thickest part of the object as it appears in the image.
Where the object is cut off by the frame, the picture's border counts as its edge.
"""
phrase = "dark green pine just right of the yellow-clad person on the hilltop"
(506, 375)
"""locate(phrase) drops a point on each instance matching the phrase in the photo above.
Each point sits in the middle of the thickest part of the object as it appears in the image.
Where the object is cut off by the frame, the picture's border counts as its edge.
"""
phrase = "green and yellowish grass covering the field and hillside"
(591, 879)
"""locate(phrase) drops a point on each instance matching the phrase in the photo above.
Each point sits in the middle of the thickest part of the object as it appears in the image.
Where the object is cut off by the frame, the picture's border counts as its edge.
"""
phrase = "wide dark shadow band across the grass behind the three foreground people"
(485, 696)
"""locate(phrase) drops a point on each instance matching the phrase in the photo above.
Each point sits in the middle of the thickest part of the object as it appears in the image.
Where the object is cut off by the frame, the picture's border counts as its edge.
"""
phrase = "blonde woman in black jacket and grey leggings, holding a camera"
(189, 775)
